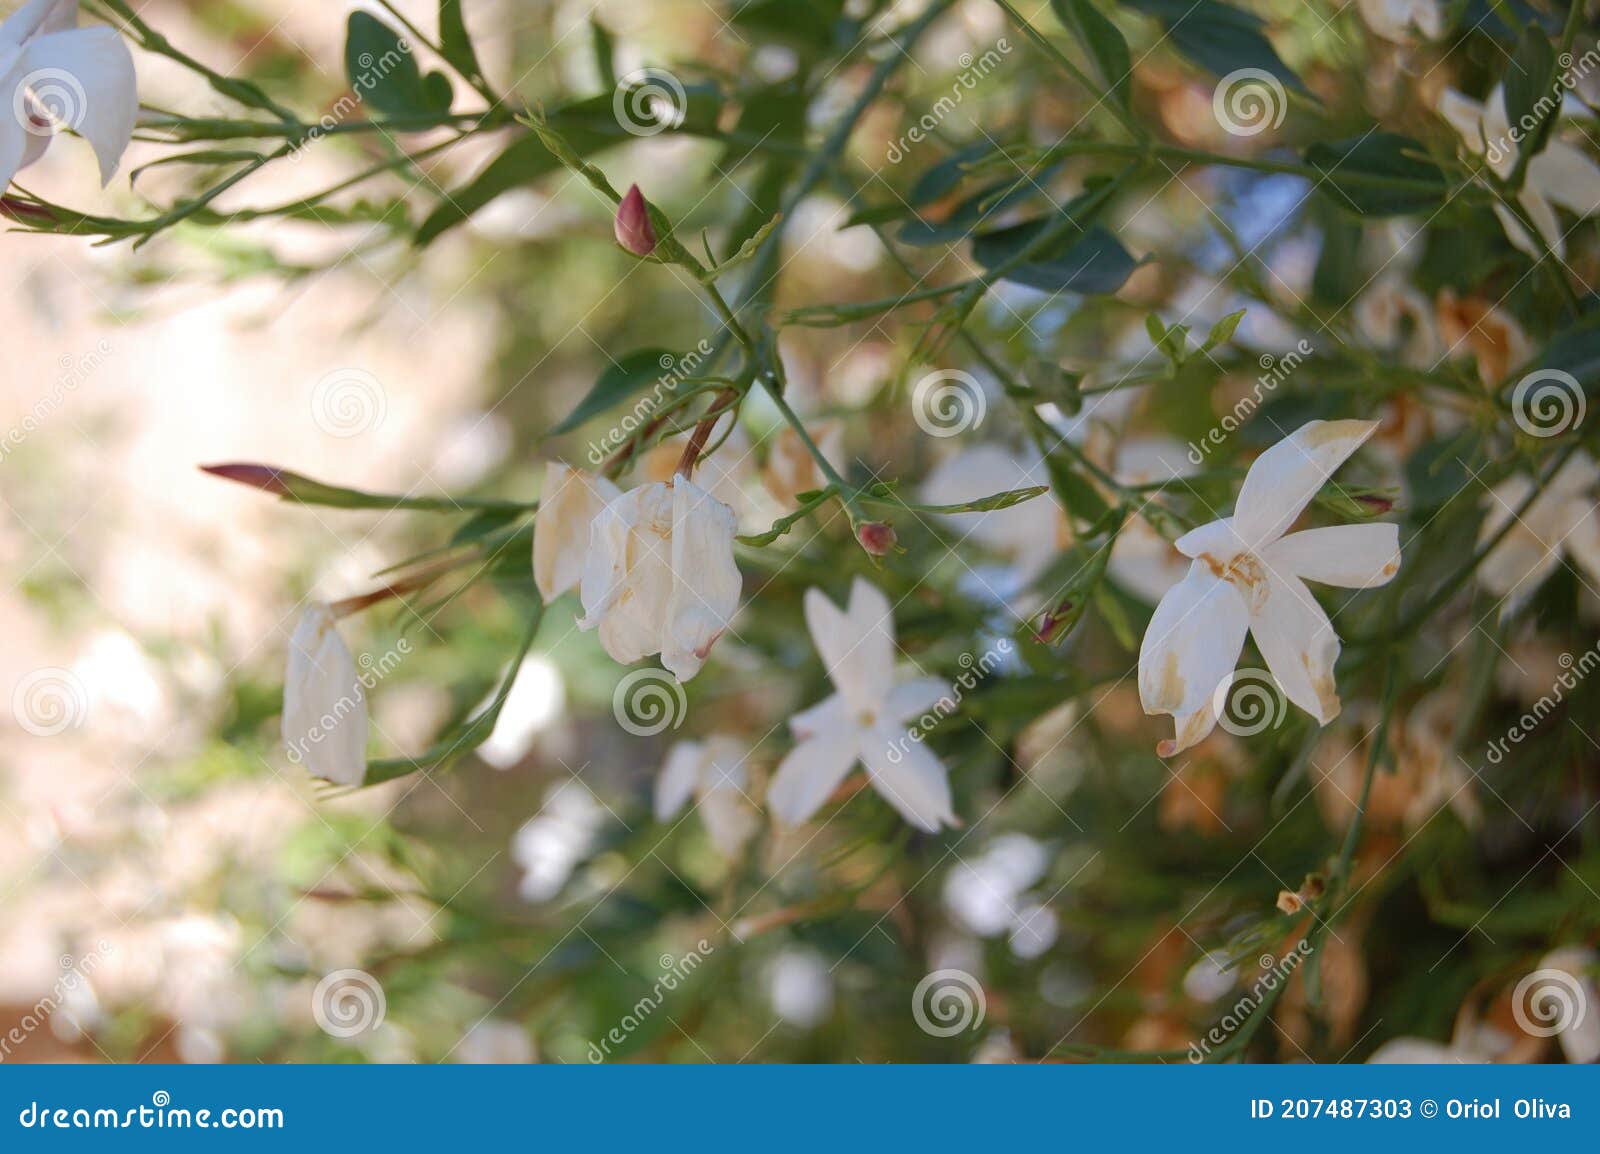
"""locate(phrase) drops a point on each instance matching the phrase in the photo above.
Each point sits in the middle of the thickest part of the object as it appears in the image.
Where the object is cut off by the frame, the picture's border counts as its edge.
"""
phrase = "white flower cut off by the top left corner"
(57, 74)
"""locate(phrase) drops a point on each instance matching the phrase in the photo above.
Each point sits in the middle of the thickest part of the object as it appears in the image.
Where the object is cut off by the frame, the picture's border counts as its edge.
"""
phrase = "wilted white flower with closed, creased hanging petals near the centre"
(660, 575)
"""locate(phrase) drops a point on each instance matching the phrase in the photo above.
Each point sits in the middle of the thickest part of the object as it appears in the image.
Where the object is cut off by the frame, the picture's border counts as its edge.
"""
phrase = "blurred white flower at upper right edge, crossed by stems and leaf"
(1561, 175)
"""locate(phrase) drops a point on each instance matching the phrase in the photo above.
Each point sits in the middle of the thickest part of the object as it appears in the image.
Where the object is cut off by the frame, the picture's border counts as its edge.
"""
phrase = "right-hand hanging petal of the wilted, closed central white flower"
(706, 580)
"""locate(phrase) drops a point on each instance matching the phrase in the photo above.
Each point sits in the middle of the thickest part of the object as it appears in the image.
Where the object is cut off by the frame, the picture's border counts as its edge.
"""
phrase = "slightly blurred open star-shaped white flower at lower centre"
(866, 721)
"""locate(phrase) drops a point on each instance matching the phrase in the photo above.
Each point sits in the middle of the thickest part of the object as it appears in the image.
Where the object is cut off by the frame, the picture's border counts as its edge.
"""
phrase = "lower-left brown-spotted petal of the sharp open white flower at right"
(1191, 646)
